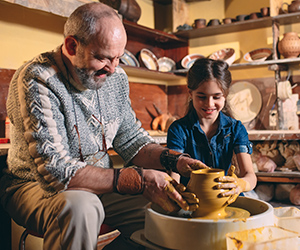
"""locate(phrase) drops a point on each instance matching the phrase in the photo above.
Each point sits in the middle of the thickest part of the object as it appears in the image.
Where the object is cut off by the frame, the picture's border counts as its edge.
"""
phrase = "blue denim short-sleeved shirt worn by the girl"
(185, 135)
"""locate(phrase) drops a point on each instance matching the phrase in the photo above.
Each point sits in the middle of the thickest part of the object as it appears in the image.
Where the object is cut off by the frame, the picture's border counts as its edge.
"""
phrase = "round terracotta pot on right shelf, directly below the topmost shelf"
(289, 46)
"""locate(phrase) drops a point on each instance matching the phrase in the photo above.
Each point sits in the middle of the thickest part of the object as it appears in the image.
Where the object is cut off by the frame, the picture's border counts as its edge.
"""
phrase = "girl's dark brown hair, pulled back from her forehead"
(205, 69)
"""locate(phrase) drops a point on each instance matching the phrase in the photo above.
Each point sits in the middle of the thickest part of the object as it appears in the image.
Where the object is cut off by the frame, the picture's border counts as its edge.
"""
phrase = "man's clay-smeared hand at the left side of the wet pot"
(161, 189)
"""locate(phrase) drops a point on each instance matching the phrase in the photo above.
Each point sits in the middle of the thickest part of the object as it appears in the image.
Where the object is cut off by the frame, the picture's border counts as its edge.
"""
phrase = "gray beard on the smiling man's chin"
(90, 81)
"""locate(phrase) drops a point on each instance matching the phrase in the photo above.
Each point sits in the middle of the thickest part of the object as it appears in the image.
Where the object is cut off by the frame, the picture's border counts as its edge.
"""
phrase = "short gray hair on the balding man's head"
(82, 23)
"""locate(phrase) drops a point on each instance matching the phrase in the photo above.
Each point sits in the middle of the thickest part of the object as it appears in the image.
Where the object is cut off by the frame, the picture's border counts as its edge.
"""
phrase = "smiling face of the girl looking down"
(208, 100)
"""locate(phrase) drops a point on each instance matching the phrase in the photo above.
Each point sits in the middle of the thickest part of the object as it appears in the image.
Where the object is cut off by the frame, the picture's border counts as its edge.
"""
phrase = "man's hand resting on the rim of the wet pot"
(186, 165)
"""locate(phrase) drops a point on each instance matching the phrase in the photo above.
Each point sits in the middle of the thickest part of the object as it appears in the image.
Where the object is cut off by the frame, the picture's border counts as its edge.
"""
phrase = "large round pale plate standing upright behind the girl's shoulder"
(245, 101)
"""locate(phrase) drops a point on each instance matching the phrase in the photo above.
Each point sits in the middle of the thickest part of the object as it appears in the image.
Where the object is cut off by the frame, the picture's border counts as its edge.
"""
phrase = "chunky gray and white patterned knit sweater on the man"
(44, 104)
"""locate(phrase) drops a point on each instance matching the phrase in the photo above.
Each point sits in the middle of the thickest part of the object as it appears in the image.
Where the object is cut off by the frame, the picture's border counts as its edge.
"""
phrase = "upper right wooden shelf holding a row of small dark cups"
(239, 26)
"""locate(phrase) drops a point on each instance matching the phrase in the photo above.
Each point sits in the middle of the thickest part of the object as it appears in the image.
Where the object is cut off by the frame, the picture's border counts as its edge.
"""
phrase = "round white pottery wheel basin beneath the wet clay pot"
(183, 232)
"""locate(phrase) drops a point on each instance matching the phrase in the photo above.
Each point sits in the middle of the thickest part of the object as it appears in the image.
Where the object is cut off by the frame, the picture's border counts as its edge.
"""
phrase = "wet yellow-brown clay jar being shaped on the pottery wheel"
(202, 183)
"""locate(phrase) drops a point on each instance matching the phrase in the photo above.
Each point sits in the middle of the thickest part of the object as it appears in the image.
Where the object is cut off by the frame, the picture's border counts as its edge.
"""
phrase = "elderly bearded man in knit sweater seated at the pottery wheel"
(67, 107)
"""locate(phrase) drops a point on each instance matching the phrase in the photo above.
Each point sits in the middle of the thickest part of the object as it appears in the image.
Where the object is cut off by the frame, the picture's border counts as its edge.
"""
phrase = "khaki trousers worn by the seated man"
(72, 219)
